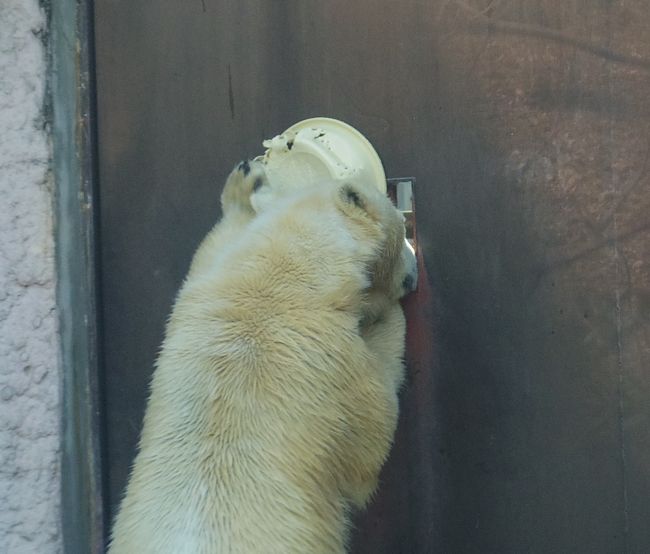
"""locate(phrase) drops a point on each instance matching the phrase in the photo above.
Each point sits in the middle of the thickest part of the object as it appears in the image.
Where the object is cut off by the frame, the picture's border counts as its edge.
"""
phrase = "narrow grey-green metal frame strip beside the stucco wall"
(73, 166)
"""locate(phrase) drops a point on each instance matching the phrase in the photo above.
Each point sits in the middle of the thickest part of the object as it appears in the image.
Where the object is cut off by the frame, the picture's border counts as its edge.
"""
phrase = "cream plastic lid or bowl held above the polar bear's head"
(321, 148)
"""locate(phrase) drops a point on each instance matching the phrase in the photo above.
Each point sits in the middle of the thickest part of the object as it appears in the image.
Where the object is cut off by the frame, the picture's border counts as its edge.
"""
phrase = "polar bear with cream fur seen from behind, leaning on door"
(274, 399)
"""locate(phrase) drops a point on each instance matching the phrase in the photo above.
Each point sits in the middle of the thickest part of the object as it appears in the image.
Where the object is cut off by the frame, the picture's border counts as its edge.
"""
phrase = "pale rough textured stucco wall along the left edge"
(29, 378)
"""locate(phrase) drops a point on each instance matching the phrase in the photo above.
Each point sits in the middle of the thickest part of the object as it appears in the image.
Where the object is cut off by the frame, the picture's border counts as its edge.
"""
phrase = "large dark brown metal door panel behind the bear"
(525, 426)
